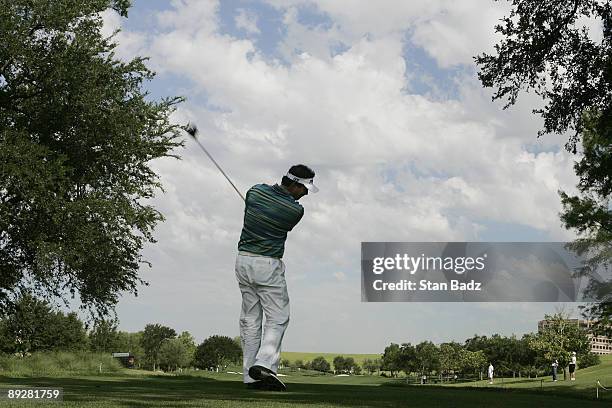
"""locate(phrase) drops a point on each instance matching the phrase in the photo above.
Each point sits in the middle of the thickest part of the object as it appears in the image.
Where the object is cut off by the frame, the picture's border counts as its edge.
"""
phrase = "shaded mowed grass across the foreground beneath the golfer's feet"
(226, 390)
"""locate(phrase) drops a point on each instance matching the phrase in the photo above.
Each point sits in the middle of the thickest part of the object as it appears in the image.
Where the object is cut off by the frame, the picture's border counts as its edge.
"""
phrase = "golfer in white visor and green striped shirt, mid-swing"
(270, 213)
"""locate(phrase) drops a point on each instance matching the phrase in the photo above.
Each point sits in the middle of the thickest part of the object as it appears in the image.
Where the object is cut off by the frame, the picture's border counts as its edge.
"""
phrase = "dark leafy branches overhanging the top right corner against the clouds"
(544, 48)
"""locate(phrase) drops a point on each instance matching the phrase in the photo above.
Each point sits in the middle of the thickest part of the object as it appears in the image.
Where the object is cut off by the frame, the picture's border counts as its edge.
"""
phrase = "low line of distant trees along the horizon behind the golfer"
(35, 325)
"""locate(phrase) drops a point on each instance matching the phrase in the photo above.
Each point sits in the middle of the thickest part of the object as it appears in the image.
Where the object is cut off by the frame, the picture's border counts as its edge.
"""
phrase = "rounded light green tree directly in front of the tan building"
(558, 338)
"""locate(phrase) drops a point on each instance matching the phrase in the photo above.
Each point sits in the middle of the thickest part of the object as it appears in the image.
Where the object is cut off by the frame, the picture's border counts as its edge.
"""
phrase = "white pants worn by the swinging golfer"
(264, 291)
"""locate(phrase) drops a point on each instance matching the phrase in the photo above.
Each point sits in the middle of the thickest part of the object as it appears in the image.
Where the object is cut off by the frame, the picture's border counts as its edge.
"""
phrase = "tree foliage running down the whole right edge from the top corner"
(544, 48)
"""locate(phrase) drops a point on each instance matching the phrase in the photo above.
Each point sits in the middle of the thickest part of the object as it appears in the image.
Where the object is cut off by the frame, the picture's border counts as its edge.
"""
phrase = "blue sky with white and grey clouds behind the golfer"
(382, 100)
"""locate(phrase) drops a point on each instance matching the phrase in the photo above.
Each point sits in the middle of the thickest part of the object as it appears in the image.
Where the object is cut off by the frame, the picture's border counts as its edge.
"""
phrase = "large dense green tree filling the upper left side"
(76, 138)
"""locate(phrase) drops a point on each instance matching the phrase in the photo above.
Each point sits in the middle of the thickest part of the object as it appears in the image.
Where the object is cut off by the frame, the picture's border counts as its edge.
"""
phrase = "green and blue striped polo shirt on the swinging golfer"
(270, 213)
